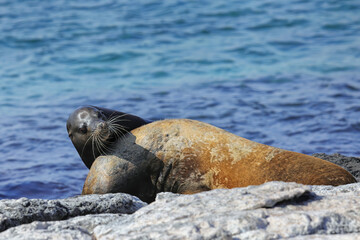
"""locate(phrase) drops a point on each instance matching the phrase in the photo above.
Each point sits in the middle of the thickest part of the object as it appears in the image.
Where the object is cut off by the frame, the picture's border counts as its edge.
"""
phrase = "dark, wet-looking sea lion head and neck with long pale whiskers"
(93, 130)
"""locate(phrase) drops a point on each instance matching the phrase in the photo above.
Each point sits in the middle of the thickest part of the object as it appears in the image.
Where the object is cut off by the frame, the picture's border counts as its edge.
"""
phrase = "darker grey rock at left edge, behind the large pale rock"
(23, 210)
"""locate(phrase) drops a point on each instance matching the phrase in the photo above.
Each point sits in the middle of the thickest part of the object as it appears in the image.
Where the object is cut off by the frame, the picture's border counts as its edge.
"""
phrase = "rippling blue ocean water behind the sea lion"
(284, 73)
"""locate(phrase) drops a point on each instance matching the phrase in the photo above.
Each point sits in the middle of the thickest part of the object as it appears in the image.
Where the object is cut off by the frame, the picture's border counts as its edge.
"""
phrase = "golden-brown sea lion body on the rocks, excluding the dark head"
(188, 156)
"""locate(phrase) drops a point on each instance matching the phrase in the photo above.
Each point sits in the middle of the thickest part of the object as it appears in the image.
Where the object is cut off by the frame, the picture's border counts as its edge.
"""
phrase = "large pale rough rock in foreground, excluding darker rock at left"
(274, 210)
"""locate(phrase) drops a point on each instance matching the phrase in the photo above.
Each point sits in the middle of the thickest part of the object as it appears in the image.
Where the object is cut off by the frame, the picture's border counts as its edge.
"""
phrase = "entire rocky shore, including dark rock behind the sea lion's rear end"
(274, 210)
